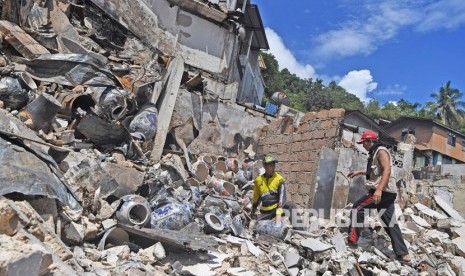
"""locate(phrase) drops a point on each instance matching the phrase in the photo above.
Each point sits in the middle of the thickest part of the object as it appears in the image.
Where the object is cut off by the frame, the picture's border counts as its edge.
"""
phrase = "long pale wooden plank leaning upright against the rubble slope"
(168, 100)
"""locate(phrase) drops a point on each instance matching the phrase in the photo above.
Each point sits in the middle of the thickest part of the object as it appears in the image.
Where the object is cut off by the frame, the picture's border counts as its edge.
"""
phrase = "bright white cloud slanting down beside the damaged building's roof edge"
(286, 58)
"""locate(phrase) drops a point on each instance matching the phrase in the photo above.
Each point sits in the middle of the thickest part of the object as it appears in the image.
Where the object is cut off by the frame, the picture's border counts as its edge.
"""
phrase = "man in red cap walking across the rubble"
(382, 192)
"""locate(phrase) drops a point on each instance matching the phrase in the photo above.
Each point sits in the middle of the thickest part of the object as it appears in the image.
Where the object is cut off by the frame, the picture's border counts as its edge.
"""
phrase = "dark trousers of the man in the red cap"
(386, 206)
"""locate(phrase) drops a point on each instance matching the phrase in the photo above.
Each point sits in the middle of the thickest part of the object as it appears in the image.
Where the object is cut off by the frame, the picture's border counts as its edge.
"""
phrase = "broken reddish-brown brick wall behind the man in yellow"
(297, 149)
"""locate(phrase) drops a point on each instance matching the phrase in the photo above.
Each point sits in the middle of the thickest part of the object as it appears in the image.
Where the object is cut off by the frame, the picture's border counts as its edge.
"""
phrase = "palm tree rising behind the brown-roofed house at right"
(447, 105)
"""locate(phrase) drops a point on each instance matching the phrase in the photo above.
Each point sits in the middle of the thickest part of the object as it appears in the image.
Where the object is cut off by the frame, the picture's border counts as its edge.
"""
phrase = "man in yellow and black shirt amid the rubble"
(269, 189)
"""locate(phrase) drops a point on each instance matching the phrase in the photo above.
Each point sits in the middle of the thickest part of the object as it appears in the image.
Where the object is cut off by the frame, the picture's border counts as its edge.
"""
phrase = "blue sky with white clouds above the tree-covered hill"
(383, 49)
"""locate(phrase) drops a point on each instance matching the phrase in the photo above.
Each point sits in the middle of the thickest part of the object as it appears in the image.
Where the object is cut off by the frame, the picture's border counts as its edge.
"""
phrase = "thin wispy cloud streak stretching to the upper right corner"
(380, 21)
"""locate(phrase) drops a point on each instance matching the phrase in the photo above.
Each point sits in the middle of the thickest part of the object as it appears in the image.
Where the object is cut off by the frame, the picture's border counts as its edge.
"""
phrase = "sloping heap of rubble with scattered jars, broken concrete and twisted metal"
(82, 193)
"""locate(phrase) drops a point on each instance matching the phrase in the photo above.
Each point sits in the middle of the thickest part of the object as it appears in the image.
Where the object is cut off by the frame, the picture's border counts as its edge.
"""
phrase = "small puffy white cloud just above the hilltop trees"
(358, 83)
